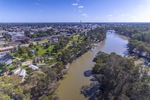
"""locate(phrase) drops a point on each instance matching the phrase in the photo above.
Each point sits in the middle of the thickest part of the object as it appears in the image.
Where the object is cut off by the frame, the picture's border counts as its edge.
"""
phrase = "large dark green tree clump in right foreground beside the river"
(117, 78)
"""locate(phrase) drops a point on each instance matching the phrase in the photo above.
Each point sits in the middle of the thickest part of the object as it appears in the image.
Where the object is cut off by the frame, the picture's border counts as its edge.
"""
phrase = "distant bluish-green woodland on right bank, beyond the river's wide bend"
(139, 37)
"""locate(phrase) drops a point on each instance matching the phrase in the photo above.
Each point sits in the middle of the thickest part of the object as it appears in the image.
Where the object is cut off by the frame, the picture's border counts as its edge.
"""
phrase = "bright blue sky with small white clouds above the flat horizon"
(74, 10)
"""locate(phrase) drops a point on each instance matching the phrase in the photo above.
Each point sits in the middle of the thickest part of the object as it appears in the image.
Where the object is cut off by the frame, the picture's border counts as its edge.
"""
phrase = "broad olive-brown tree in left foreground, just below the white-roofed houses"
(40, 82)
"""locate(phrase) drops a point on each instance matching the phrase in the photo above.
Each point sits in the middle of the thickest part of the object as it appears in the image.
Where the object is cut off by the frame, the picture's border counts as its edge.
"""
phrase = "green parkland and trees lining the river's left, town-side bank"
(41, 84)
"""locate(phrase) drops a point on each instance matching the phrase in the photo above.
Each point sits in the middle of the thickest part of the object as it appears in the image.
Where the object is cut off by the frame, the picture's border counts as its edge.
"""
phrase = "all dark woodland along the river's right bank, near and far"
(116, 77)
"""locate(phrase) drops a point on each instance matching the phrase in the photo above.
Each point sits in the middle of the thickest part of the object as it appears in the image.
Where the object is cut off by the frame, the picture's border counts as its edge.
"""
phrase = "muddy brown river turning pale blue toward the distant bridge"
(70, 86)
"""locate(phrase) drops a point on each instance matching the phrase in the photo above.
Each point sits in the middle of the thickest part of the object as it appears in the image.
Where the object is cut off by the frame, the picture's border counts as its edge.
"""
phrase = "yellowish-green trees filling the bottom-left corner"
(10, 88)
